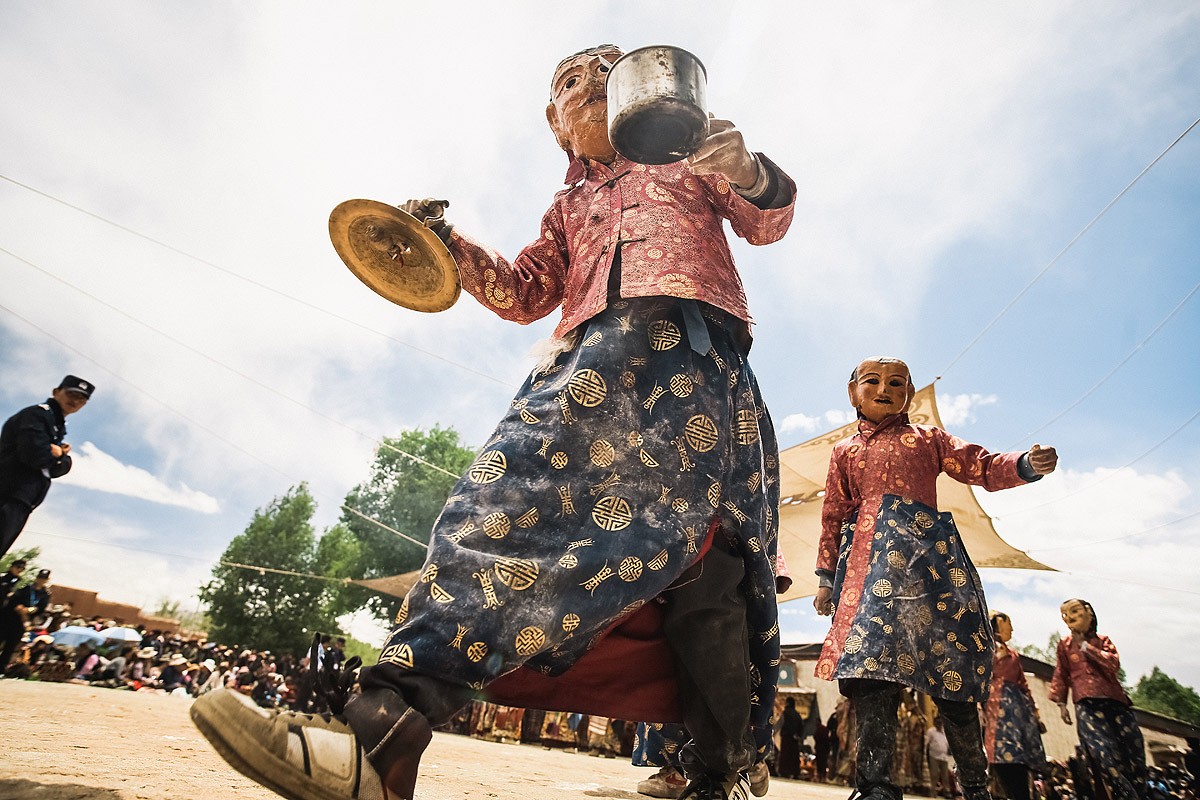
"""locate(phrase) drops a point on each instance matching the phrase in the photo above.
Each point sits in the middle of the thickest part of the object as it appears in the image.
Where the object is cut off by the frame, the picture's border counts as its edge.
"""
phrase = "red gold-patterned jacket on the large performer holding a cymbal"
(667, 224)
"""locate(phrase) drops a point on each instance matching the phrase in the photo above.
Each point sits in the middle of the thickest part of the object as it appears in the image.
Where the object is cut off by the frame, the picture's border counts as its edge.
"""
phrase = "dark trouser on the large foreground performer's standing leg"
(705, 622)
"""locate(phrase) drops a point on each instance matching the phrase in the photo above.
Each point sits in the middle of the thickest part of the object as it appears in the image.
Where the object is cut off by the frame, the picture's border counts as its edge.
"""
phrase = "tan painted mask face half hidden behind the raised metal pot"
(579, 105)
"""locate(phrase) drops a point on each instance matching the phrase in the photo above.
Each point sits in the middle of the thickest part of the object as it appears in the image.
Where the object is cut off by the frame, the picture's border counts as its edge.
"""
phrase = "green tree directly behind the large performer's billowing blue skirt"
(406, 496)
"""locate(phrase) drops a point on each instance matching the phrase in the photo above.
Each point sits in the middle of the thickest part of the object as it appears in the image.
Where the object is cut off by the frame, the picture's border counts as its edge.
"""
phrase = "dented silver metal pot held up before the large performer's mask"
(657, 111)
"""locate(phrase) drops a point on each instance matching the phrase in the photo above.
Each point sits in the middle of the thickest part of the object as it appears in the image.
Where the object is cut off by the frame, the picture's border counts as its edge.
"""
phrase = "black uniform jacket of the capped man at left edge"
(26, 462)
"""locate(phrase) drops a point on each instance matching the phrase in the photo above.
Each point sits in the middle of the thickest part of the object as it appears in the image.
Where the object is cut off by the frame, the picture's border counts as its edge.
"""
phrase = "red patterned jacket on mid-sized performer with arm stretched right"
(896, 458)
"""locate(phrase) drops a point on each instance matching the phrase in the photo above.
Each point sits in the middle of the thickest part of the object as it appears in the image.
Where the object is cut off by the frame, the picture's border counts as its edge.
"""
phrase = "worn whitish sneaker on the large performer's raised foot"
(299, 756)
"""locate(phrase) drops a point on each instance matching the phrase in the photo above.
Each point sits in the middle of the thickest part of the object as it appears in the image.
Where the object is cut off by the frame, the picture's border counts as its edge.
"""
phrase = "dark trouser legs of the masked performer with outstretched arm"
(875, 709)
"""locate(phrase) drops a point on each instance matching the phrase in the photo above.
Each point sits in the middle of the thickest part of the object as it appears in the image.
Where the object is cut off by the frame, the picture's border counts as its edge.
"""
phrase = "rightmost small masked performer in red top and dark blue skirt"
(1087, 666)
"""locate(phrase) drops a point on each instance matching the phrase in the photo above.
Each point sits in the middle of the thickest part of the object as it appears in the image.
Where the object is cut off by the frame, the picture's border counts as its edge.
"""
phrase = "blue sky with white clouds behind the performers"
(945, 155)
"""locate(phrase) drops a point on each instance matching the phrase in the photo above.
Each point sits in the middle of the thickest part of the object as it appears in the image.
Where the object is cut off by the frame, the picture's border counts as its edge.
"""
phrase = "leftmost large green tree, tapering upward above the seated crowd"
(263, 609)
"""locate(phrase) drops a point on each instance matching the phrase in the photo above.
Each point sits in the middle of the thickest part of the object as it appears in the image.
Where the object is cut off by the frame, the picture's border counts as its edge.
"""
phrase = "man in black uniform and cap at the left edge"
(33, 453)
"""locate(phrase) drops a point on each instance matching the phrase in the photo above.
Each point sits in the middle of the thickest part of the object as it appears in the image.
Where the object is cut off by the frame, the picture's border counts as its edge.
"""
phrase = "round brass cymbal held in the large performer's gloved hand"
(395, 255)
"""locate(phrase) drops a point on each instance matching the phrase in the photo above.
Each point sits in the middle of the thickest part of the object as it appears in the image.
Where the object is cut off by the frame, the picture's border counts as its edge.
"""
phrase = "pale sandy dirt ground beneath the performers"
(65, 742)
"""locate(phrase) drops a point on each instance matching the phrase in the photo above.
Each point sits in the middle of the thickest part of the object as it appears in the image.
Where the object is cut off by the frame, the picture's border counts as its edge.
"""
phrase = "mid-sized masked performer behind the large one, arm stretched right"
(907, 601)
